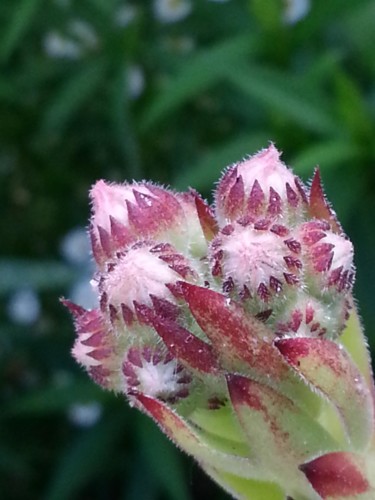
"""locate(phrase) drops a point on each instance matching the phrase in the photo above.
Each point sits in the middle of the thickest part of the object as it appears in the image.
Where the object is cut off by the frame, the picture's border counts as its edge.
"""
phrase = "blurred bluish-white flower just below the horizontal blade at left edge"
(24, 306)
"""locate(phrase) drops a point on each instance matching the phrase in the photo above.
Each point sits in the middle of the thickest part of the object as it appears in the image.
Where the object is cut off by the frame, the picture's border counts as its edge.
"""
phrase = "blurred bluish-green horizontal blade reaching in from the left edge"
(39, 275)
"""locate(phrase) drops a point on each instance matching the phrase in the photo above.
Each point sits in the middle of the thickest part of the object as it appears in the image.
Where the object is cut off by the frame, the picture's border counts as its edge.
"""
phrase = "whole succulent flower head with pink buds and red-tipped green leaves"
(234, 328)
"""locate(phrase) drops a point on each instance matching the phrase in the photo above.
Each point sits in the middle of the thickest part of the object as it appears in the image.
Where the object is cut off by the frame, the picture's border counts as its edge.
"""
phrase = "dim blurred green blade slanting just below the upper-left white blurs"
(73, 93)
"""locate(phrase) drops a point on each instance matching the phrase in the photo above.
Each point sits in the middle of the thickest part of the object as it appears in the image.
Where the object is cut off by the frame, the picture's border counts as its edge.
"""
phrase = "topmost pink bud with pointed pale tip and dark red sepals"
(261, 186)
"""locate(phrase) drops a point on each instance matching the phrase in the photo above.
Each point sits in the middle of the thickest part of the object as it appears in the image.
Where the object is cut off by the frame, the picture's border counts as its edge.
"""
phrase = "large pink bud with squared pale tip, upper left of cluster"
(126, 213)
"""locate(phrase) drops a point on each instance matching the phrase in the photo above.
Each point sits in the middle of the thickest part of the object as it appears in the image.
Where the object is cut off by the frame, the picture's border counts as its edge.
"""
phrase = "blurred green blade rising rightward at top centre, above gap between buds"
(199, 73)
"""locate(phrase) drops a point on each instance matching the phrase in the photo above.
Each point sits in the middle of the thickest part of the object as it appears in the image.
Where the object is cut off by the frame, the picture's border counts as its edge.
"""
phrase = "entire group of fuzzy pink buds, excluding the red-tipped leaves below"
(262, 246)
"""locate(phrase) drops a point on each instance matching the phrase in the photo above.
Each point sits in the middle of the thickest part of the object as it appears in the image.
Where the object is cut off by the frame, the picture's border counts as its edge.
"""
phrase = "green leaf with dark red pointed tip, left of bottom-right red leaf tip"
(281, 435)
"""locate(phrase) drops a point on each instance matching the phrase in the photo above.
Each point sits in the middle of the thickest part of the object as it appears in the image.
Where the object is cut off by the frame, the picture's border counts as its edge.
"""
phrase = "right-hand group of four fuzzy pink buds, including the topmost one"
(273, 253)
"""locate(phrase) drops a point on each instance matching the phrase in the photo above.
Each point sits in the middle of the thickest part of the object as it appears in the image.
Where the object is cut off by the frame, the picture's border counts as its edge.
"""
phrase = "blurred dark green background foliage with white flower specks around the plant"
(169, 90)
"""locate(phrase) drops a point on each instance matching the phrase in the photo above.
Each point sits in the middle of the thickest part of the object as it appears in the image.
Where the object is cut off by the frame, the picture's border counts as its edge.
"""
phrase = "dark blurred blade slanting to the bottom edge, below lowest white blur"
(84, 459)
